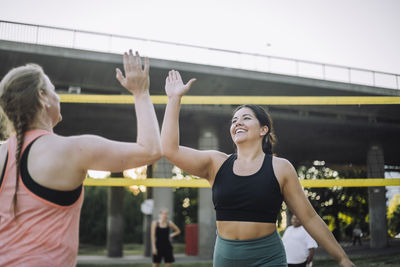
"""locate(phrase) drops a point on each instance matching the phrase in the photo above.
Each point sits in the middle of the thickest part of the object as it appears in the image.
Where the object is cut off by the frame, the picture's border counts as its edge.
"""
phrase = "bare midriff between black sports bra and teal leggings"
(236, 230)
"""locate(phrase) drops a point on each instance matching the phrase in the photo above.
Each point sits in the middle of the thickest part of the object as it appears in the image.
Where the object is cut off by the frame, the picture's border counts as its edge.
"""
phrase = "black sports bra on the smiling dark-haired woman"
(253, 198)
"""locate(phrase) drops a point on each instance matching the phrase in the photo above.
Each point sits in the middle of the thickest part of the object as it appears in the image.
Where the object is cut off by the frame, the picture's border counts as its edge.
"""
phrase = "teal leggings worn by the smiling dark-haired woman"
(266, 251)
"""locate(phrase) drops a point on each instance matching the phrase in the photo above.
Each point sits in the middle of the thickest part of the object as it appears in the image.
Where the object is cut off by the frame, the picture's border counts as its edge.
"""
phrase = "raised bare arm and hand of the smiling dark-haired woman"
(200, 163)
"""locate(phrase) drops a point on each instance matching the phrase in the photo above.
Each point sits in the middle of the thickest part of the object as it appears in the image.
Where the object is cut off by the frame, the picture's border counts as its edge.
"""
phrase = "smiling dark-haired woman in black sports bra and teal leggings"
(248, 186)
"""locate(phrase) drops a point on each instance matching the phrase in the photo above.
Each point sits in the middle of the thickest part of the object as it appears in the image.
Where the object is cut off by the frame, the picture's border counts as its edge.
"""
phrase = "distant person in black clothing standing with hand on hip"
(161, 239)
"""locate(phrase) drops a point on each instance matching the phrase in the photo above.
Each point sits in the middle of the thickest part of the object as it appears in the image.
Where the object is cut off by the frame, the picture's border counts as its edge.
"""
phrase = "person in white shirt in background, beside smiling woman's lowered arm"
(299, 245)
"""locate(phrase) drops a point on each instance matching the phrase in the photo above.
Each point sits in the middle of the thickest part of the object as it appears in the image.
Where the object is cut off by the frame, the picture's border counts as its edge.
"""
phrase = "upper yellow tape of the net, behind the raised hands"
(239, 100)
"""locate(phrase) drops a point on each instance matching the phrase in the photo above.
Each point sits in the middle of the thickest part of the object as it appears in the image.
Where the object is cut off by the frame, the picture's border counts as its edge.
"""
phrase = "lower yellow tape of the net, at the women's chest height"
(167, 182)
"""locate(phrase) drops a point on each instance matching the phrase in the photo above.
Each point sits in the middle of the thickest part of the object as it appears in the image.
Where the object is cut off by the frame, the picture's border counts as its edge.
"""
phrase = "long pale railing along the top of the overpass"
(112, 43)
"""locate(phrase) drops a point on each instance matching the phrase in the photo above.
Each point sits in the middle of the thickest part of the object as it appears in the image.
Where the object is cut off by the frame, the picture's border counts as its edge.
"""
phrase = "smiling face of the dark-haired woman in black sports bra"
(246, 127)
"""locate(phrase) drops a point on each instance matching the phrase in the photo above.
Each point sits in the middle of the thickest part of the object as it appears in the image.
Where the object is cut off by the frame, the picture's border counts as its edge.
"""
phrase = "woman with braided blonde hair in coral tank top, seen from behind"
(41, 190)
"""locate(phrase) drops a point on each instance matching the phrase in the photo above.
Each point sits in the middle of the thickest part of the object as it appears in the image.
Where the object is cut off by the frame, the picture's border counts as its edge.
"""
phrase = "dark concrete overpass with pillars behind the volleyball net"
(367, 136)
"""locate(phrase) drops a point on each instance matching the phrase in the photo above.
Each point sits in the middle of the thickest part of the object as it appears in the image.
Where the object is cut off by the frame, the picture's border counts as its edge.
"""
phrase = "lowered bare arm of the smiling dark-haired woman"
(299, 204)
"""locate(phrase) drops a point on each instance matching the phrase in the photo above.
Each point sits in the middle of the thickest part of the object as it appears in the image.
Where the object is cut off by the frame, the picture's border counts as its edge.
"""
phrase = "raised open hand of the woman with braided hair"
(136, 79)
